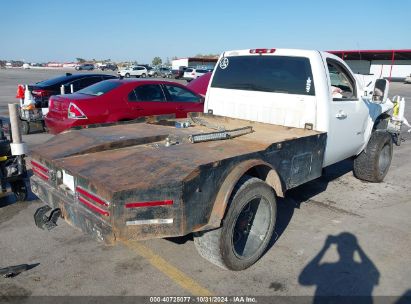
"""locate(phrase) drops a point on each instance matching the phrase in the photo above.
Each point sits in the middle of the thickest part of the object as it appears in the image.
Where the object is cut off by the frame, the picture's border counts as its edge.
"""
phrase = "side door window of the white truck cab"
(342, 83)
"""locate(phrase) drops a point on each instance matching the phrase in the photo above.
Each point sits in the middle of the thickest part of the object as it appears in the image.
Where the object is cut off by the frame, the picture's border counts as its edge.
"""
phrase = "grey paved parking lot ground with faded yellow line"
(370, 224)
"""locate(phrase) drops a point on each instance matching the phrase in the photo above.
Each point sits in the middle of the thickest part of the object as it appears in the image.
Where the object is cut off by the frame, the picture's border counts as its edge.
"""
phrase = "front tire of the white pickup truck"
(373, 163)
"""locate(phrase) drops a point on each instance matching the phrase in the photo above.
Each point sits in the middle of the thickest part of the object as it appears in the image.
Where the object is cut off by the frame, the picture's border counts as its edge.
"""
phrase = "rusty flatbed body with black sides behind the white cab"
(125, 164)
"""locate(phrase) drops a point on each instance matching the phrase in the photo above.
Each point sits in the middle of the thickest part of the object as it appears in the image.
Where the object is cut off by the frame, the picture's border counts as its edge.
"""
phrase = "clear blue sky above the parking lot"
(47, 30)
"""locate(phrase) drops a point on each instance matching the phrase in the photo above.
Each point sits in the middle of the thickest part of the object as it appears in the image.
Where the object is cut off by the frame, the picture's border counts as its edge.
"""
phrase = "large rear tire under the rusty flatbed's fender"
(252, 211)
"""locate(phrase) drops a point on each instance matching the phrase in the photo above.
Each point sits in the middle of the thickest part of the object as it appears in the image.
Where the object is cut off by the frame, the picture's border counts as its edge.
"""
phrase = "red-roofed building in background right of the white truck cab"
(391, 64)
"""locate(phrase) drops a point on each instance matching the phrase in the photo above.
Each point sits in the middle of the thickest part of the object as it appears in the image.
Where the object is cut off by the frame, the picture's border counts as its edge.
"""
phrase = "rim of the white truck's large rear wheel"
(251, 228)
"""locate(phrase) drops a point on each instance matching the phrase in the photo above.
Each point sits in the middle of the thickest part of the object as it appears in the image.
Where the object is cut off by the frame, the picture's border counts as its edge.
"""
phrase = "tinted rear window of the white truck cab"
(280, 74)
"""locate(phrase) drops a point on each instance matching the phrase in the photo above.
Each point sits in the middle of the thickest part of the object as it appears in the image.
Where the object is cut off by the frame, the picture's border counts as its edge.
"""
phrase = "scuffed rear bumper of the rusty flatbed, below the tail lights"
(73, 212)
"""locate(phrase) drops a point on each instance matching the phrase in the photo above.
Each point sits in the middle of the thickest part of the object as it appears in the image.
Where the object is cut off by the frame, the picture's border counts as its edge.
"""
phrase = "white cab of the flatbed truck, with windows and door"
(297, 88)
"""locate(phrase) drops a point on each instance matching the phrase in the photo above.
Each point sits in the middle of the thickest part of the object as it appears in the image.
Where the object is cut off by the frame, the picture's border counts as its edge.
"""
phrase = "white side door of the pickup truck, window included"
(348, 114)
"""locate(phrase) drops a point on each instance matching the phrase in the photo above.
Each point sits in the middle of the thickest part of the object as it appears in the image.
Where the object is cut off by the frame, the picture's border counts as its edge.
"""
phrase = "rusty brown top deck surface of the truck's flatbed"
(109, 156)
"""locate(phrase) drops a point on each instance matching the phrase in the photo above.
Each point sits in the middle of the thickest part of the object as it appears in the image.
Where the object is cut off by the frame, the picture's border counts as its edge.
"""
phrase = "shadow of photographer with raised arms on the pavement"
(346, 277)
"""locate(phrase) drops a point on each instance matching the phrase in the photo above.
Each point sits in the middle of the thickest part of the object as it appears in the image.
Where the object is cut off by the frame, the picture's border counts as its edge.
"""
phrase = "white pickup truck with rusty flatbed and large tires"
(274, 118)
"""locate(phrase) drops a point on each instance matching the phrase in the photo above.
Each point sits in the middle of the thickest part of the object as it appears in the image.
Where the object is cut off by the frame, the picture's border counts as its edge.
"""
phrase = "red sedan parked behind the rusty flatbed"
(120, 100)
